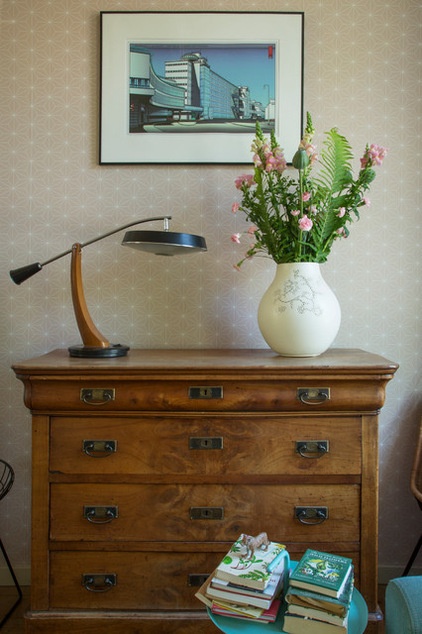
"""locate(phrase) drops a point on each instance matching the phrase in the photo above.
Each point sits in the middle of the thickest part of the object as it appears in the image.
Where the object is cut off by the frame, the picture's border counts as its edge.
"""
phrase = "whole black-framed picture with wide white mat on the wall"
(190, 87)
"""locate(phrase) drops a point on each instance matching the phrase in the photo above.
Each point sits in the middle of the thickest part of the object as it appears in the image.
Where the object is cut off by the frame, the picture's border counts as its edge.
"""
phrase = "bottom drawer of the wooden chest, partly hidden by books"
(128, 580)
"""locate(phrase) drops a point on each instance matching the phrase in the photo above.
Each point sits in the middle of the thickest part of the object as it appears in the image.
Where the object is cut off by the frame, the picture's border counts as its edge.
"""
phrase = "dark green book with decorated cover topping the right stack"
(322, 572)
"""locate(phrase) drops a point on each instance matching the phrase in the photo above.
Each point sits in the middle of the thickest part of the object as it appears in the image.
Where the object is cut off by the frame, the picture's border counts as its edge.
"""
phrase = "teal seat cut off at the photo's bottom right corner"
(403, 606)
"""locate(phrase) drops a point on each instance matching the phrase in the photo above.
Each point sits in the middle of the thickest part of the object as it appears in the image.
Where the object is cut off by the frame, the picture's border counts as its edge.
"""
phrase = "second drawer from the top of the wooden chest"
(210, 445)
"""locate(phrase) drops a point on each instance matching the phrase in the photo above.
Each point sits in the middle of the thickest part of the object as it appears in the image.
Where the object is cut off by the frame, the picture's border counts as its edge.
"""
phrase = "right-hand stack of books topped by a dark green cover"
(319, 594)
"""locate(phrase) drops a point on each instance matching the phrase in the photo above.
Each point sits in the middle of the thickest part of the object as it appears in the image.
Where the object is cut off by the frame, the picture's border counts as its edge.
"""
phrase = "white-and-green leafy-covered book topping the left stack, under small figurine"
(250, 571)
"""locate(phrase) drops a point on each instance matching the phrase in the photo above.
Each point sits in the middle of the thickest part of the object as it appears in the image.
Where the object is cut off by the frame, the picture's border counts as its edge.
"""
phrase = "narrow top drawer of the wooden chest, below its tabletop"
(203, 394)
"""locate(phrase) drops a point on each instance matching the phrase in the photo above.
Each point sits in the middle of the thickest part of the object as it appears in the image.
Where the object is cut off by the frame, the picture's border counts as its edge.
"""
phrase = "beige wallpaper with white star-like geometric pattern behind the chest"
(362, 73)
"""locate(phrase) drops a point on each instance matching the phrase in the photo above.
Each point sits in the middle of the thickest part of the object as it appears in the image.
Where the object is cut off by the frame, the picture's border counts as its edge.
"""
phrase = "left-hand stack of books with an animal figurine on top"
(246, 587)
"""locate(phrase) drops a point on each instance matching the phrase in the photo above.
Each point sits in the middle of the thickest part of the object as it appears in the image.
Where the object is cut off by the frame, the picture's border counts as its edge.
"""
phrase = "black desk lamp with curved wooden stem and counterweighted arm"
(159, 242)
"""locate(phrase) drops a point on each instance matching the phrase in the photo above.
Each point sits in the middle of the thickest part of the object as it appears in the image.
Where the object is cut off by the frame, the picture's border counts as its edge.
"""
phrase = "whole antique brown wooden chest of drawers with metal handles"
(146, 469)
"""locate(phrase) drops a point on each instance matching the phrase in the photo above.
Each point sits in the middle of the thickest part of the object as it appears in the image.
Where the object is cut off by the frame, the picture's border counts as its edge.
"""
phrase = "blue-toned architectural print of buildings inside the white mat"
(227, 89)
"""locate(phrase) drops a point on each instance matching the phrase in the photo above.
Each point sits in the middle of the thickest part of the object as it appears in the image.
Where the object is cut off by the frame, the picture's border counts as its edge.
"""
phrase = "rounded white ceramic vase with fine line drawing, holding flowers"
(299, 315)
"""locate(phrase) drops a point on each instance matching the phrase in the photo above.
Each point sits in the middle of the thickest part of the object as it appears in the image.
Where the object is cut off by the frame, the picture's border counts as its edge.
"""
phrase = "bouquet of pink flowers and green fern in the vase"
(298, 220)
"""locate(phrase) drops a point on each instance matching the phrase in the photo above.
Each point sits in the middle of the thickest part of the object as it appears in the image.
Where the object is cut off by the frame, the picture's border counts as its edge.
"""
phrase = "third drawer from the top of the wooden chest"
(211, 513)
